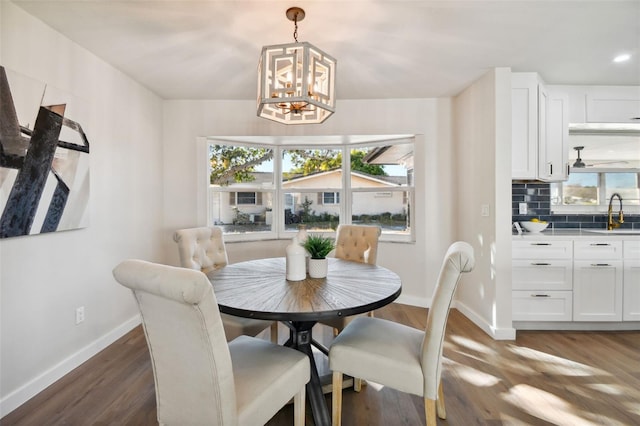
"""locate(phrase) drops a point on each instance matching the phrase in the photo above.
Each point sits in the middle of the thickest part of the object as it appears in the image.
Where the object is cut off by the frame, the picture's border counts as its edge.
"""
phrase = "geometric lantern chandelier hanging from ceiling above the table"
(296, 81)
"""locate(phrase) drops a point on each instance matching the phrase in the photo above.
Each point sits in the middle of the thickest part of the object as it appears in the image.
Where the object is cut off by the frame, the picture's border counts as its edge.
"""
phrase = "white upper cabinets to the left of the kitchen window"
(540, 124)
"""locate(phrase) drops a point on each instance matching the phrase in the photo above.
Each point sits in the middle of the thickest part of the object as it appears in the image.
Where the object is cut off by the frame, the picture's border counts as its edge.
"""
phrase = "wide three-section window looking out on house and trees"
(258, 191)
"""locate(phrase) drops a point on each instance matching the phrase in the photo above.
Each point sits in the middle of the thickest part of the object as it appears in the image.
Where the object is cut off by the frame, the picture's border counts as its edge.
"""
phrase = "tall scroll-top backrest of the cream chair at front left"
(189, 353)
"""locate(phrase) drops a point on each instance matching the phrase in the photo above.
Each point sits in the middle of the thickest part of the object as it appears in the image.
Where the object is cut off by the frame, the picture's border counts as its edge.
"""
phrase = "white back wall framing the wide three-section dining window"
(418, 264)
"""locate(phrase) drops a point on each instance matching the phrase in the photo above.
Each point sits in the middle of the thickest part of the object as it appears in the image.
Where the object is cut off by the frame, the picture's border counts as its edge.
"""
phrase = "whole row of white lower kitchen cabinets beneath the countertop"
(576, 281)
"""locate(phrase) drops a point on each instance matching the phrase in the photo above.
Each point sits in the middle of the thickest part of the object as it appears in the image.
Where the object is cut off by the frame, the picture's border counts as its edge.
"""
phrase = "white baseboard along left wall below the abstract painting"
(40, 383)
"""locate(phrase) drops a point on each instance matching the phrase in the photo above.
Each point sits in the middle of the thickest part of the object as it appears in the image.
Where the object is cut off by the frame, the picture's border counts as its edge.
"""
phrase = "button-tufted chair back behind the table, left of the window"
(201, 248)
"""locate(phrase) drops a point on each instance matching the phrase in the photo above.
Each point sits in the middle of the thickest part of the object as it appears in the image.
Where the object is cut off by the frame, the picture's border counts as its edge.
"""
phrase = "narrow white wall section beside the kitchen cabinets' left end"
(482, 119)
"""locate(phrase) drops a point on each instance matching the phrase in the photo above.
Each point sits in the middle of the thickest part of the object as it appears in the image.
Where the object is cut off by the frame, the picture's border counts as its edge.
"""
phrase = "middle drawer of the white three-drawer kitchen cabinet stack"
(542, 274)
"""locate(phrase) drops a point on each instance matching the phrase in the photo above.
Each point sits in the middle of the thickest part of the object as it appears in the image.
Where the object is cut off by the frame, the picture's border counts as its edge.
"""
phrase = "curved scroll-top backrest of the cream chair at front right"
(458, 260)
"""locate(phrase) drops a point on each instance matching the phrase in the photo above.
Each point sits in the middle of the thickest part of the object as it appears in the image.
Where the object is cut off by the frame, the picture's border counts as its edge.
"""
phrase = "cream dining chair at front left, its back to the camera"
(199, 377)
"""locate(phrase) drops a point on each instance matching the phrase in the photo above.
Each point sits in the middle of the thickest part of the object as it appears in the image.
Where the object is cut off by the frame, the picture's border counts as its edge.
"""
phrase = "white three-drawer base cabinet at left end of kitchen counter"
(542, 280)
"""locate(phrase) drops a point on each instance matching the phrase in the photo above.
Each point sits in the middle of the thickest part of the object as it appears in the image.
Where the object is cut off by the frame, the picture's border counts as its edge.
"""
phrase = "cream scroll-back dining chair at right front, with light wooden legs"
(398, 356)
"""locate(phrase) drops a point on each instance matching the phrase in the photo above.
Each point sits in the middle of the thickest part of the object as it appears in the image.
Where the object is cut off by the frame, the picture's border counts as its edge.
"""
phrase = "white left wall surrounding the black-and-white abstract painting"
(43, 278)
